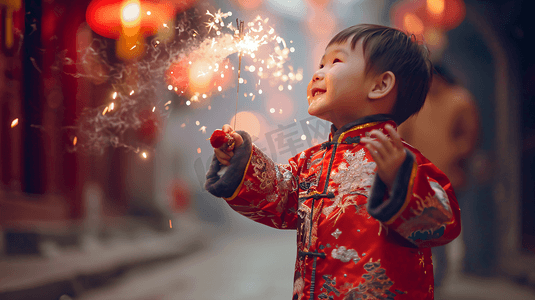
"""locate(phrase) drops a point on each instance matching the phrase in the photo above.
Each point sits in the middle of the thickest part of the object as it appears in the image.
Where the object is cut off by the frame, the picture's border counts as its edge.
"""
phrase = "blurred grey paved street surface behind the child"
(256, 262)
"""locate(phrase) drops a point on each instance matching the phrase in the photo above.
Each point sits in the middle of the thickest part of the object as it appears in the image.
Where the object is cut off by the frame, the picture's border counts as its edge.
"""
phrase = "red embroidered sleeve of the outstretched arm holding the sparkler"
(256, 187)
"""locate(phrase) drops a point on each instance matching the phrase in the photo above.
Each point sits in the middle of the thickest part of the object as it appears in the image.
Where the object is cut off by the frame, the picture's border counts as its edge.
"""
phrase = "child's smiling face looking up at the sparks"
(338, 89)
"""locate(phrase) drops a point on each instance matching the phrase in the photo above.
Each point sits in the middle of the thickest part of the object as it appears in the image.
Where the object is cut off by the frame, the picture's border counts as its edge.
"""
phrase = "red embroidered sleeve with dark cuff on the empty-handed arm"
(421, 207)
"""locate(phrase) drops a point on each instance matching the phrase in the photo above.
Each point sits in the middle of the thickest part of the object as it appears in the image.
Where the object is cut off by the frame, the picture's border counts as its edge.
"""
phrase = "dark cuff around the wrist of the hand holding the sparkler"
(225, 185)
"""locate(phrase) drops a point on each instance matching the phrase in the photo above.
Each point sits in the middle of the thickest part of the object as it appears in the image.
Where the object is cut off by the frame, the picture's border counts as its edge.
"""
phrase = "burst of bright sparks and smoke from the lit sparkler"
(265, 55)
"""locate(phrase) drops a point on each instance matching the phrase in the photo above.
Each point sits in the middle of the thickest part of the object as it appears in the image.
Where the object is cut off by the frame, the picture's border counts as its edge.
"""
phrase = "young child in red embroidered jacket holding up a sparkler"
(367, 206)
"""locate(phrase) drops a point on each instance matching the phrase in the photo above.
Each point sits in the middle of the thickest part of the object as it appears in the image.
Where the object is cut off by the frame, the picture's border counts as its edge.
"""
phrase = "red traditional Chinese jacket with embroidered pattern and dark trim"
(355, 239)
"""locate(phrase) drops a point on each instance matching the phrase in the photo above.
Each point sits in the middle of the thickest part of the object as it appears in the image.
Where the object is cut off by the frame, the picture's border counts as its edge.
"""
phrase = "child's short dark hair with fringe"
(389, 49)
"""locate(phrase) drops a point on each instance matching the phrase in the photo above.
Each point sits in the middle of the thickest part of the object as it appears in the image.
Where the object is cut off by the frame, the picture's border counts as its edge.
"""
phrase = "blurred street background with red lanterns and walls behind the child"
(106, 107)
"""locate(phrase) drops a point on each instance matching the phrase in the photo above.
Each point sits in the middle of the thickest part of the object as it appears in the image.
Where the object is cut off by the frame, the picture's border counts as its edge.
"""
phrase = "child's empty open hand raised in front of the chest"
(388, 154)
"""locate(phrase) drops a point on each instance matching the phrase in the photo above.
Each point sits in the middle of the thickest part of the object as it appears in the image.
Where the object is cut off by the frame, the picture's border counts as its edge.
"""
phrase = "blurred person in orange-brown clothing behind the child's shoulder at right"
(446, 132)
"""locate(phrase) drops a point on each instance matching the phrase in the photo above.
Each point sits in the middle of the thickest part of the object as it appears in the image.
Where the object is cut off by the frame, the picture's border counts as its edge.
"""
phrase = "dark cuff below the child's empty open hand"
(381, 209)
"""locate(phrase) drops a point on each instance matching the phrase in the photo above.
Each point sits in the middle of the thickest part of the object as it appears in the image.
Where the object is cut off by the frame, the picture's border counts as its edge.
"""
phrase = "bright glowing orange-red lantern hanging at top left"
(128, 21)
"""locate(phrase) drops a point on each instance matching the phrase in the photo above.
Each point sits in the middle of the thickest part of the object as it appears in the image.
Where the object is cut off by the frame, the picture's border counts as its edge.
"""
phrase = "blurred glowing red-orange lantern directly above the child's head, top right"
(440, 14)
